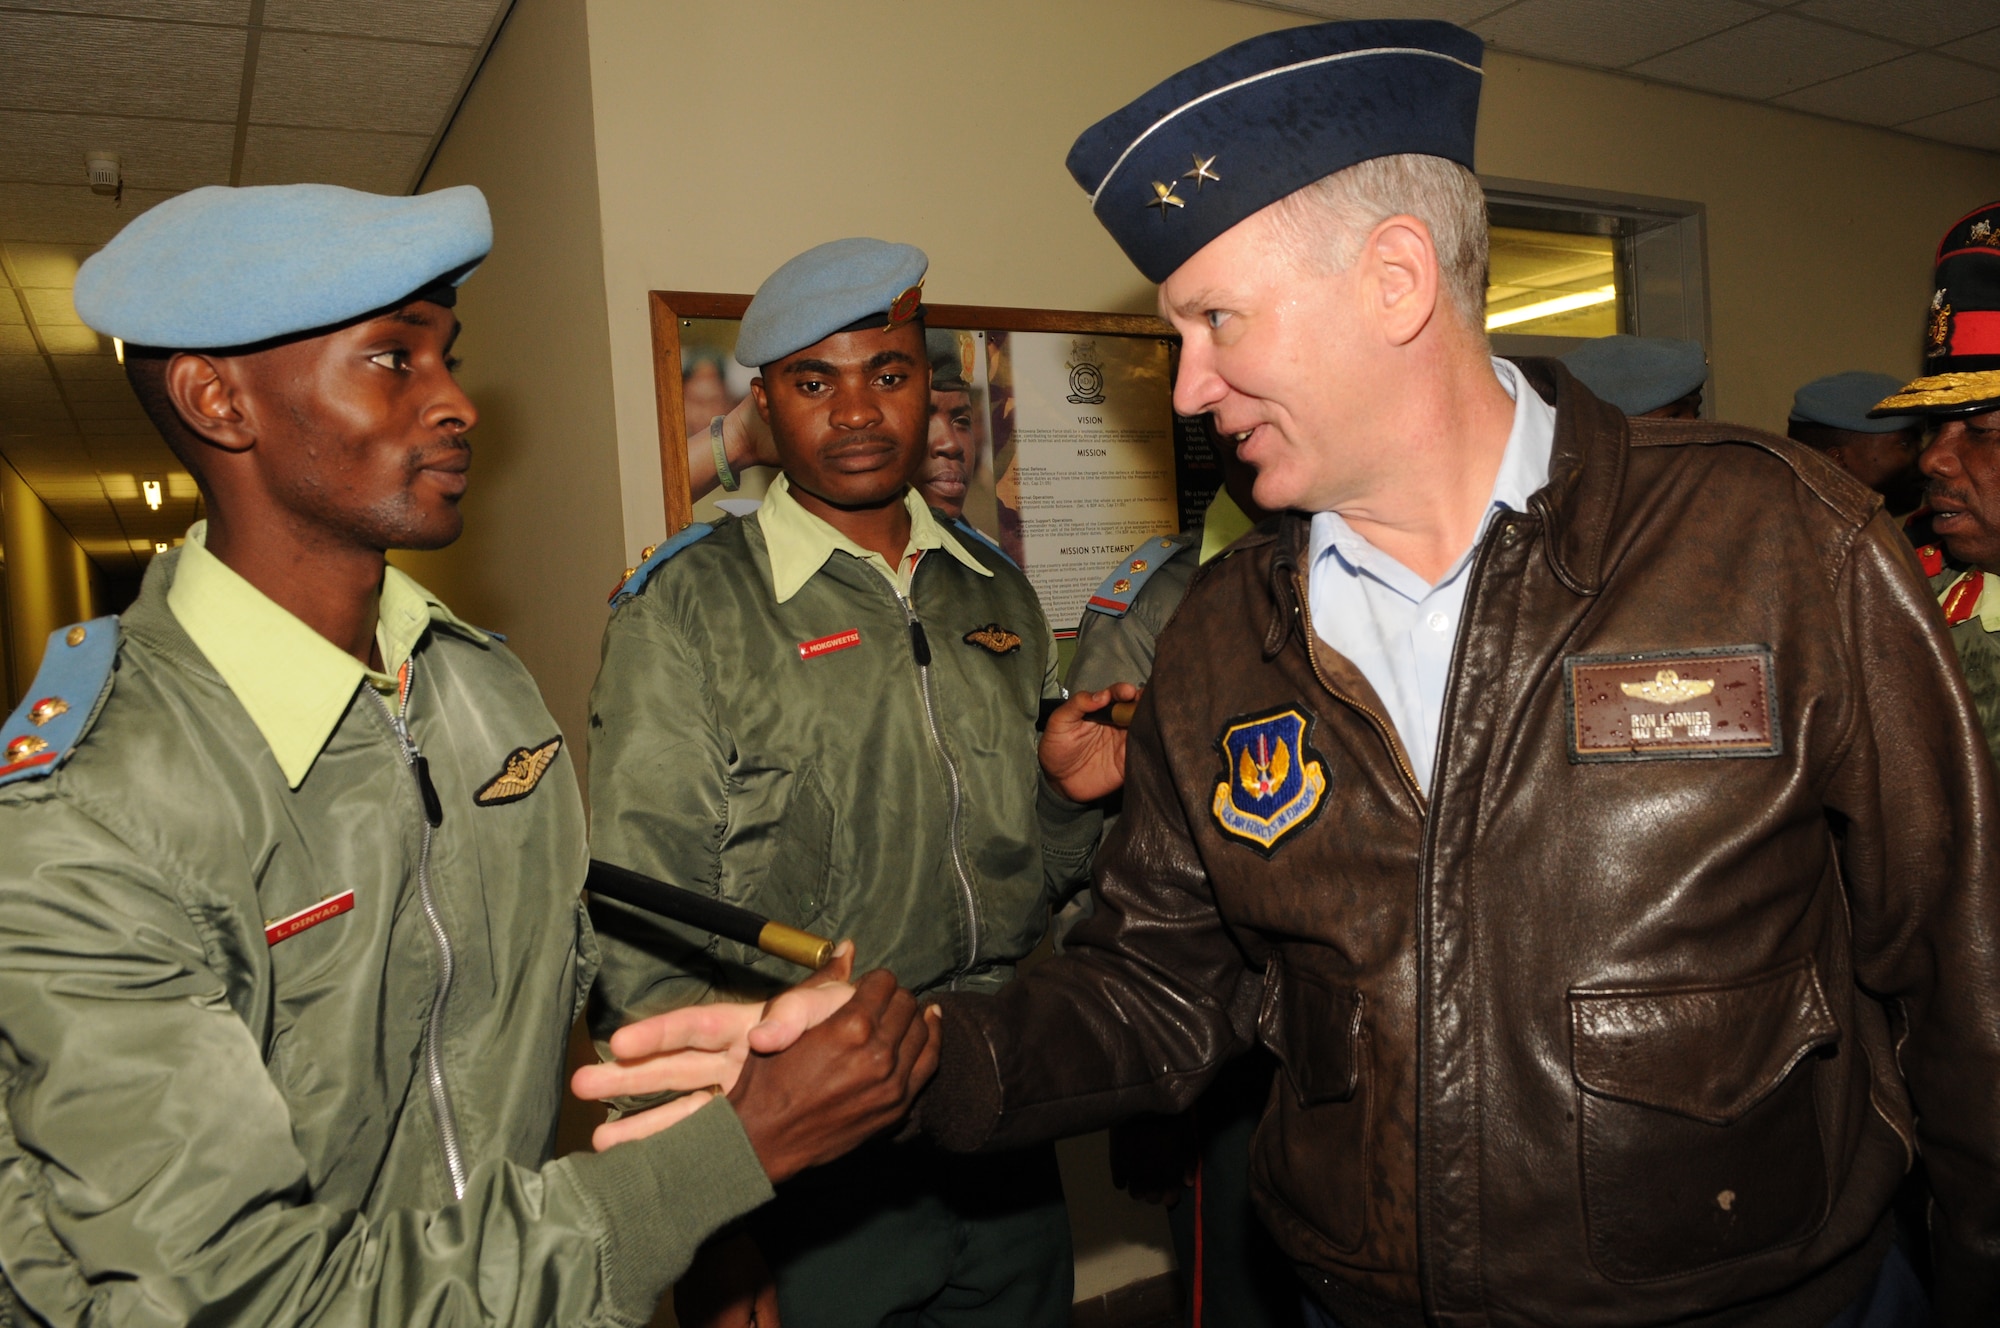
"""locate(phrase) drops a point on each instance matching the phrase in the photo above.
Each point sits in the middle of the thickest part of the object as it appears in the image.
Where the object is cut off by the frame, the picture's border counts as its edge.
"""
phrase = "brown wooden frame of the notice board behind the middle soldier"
(669, 307)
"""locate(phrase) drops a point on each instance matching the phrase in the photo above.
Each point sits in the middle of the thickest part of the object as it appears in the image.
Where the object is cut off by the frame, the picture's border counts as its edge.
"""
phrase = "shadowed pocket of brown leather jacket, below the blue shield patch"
(1315, 1147)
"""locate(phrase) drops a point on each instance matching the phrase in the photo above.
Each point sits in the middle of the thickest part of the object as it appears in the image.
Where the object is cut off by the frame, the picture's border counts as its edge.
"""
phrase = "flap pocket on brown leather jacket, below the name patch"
(1699, 1123)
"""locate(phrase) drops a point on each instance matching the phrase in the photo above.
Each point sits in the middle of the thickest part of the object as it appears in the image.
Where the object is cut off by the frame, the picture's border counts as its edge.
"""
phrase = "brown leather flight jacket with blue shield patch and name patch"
(1645, 1013)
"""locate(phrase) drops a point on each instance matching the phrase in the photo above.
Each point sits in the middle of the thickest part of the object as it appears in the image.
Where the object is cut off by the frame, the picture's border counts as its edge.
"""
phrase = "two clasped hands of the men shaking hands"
(811, 1073)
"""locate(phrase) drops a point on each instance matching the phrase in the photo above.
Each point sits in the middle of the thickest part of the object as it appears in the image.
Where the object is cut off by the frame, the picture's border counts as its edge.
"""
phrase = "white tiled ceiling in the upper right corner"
(1921, 67)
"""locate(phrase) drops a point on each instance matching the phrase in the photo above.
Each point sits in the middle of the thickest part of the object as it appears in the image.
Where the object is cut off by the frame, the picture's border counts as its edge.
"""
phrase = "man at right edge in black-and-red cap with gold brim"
(1961, 459)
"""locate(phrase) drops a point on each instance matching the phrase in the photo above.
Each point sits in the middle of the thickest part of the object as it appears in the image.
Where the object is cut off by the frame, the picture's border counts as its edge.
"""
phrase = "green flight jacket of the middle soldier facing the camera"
(817, 787)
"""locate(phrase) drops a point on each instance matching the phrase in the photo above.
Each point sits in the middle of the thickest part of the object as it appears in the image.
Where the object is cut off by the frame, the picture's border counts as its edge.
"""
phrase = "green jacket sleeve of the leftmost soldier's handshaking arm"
(149, 1173)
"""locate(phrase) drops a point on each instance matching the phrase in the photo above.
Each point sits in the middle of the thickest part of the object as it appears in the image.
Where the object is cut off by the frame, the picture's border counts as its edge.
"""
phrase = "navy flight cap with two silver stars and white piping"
(1269, 117)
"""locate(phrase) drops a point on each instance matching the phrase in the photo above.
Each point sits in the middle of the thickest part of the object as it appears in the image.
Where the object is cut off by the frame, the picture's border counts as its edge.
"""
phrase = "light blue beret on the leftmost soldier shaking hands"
(229, 267)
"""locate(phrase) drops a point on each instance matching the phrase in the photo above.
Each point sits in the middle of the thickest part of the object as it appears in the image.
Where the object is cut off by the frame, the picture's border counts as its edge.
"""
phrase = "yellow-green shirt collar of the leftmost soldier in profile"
(291, 681)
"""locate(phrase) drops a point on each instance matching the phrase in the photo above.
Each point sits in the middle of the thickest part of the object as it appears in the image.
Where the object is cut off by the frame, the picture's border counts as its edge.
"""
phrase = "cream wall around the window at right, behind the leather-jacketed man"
(1819, 235)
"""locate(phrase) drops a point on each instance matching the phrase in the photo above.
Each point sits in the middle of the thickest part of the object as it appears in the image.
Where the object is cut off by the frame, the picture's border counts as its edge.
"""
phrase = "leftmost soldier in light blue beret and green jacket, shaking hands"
(291, 927)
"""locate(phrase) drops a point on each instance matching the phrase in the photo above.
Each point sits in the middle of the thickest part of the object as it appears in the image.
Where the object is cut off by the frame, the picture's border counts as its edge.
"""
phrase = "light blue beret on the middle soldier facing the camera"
(827, 289)
